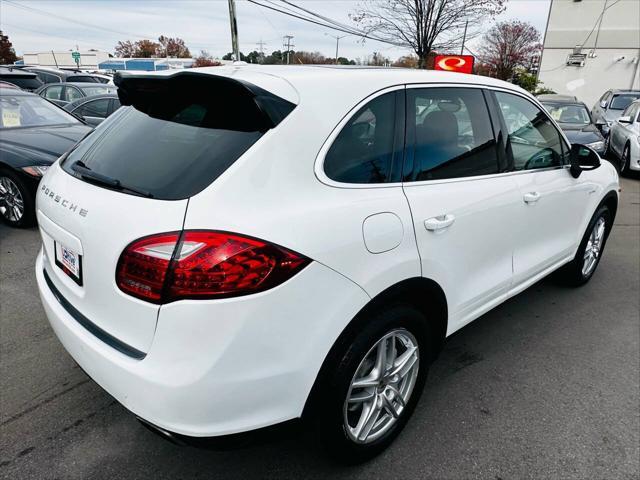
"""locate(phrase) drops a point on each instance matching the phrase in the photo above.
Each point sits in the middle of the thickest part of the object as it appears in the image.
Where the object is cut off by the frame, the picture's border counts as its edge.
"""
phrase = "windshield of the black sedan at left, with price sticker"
(31, 111)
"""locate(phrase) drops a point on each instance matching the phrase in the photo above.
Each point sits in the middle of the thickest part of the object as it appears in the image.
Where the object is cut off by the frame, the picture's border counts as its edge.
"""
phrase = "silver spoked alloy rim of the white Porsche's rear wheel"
(381, 387)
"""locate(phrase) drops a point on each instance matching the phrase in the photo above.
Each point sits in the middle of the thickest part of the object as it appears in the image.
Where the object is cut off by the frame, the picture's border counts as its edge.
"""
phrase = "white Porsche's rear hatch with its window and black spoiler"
(132, 177)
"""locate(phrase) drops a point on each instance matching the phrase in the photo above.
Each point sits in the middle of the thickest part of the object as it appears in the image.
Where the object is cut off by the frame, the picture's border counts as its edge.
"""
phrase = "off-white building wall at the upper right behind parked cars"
(591, 46)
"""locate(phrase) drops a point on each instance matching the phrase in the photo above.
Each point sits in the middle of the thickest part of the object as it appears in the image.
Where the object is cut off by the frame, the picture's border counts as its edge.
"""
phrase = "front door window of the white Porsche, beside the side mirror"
(534, 142)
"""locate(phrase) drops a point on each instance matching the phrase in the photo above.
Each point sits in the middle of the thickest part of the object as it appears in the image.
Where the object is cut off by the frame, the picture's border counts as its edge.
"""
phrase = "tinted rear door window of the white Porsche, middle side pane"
(452, 134)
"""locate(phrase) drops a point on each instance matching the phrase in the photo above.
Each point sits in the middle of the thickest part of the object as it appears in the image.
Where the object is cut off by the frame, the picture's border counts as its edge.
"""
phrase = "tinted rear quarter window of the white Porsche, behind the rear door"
(363, 151)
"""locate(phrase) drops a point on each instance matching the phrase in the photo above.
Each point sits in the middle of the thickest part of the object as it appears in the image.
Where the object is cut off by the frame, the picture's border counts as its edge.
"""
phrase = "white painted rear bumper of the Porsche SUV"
(225, 366)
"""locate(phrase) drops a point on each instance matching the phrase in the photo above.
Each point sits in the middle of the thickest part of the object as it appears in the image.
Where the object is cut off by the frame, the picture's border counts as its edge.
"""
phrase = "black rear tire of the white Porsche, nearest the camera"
(328, 414)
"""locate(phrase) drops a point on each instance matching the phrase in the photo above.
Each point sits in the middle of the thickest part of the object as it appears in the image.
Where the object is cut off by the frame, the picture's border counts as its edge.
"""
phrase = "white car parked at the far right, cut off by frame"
(624, 138)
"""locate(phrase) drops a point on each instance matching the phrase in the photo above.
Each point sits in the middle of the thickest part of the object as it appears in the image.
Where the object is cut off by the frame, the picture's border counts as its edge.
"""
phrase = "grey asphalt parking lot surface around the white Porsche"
(544, 386)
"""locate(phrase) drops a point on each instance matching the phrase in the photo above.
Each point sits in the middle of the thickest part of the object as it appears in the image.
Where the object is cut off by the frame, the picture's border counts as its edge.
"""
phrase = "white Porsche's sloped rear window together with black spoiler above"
(176, 136)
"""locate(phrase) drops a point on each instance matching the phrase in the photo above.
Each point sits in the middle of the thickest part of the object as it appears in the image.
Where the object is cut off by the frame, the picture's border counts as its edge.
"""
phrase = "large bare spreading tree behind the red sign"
(425, 25)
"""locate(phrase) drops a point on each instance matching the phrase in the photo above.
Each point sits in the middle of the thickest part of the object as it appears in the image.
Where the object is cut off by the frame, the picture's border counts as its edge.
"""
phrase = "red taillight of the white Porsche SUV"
(203, 264)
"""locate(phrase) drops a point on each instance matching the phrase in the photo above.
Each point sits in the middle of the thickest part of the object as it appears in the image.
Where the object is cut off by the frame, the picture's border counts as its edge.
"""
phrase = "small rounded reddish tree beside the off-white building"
(509, 46)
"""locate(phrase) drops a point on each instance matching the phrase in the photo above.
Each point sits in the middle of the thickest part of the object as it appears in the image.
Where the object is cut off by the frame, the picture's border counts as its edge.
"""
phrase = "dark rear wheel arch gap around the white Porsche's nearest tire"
(424, 294)
